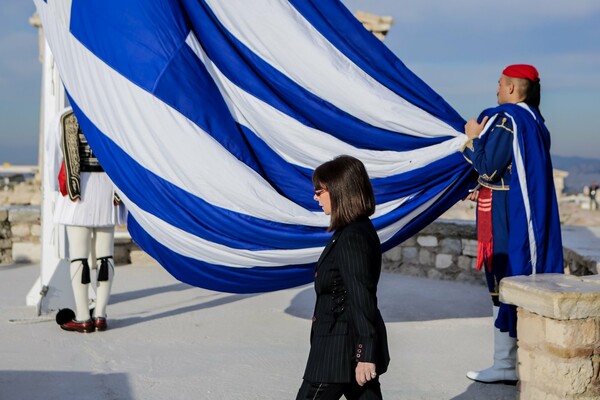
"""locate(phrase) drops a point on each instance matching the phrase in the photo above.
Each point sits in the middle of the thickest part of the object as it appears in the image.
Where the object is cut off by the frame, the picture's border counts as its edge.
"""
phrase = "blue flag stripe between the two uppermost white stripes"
(249, 72)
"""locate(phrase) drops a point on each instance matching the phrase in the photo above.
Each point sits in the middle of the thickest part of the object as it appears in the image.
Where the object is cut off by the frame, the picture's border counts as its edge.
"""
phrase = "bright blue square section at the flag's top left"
(135, 38)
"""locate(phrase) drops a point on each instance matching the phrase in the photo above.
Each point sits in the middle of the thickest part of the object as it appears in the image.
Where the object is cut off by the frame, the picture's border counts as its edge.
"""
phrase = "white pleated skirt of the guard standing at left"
(95, 208)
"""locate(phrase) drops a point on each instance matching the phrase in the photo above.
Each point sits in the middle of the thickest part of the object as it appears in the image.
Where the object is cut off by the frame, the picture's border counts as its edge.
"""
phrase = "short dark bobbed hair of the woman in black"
(349, 187)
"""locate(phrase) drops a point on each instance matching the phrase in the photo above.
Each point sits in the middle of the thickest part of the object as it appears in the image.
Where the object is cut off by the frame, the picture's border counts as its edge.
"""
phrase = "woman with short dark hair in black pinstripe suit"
(348, 338)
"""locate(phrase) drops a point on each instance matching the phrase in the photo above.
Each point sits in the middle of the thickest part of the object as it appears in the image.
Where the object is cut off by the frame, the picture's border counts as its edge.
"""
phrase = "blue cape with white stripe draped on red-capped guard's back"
(535, 243)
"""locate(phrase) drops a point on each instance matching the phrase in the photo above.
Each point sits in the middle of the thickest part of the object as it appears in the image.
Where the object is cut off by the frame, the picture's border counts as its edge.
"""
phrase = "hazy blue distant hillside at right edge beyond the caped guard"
(582, 171)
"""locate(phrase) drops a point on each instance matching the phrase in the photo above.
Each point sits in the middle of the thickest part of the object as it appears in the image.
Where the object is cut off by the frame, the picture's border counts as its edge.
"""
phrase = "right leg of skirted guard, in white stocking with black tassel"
(104, 241)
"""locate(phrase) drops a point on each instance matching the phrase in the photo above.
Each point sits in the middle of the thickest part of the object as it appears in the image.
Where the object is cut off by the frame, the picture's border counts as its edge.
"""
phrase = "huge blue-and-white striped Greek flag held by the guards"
(210, 116)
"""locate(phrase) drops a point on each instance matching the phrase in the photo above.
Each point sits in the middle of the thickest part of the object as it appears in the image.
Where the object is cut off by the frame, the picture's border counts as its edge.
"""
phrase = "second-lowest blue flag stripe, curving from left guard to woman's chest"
(190, 213)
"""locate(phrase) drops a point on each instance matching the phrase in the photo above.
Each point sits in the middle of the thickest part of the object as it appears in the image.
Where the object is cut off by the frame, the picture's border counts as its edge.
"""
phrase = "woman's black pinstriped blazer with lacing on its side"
(347, 325)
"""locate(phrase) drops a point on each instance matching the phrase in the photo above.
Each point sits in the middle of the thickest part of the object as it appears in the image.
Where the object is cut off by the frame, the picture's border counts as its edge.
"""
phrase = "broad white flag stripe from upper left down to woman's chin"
(176, 145)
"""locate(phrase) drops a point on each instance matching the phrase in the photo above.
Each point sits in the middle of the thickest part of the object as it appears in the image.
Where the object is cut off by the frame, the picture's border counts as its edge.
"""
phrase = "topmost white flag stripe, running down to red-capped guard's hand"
(330, 75)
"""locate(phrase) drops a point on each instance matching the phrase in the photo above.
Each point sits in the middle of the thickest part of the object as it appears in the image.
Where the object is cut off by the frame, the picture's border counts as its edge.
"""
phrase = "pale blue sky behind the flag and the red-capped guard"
(458, 47)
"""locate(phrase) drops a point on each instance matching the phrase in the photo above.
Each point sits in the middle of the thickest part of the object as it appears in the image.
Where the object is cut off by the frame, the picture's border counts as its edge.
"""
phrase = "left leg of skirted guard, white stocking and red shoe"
(79, 249)
